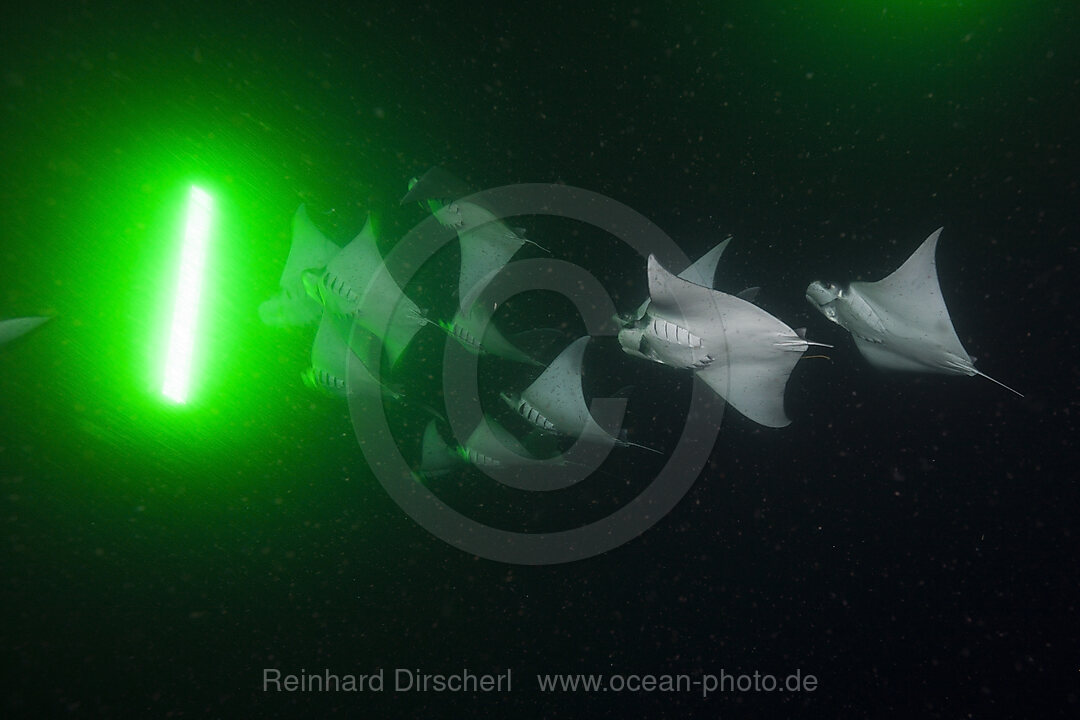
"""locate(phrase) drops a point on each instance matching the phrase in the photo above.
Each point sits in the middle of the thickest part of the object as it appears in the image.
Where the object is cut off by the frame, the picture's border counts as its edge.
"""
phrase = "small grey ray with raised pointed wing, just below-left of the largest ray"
(556, 401)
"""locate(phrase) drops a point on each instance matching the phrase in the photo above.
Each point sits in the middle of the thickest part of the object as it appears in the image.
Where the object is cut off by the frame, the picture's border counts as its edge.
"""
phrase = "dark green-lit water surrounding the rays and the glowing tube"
(909, 540)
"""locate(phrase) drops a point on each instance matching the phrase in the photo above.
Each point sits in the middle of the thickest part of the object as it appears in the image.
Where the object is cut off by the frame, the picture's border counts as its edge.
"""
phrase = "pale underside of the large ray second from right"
(752, 354)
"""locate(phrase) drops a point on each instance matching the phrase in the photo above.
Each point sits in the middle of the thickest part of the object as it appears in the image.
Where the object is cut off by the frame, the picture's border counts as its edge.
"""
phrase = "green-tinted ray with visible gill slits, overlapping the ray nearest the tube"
(358, 284)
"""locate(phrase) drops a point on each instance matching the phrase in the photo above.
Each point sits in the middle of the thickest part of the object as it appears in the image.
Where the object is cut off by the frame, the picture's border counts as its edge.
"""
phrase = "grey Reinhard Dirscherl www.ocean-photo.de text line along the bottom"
(406, 681)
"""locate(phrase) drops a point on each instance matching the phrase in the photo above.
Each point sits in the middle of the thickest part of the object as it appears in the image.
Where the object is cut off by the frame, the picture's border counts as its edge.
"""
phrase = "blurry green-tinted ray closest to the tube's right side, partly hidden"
(310, 251)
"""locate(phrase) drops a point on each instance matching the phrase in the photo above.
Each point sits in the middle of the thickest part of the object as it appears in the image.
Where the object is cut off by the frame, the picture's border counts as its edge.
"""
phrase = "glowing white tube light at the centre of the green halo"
(188, 289)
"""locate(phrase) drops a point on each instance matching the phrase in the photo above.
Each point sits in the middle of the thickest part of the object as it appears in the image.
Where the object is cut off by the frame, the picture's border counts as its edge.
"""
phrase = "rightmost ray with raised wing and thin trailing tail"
(900, 323)
